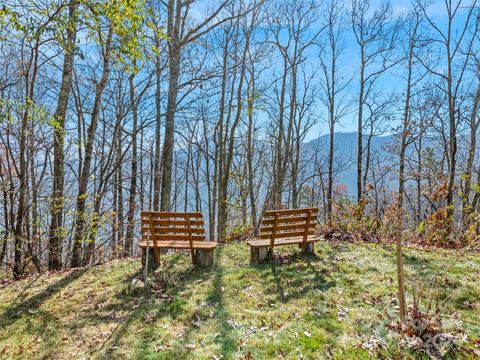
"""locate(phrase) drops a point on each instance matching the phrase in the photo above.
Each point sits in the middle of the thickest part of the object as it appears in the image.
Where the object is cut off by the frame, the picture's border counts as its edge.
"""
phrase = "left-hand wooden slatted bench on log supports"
(178, 231)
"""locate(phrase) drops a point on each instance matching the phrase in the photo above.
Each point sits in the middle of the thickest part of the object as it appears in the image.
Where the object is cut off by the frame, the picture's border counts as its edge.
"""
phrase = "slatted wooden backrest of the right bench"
(289, 223)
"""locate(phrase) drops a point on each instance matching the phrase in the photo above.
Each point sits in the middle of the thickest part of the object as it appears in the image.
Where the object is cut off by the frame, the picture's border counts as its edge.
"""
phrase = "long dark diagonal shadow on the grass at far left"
(13, 313)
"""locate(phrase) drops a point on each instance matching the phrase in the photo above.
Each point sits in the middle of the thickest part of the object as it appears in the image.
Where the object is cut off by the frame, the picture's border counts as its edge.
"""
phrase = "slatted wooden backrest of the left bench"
(172, 226)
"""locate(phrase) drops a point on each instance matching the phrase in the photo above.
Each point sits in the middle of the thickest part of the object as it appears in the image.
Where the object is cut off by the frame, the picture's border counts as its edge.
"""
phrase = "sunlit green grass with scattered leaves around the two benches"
(316, 306)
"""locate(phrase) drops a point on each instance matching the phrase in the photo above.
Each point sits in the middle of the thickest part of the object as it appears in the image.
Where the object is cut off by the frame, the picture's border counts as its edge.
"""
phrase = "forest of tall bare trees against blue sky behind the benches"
(111, 107)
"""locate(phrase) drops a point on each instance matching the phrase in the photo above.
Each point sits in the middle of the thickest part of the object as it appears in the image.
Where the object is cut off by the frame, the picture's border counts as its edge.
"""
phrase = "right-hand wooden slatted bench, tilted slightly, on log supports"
(284, 227)
